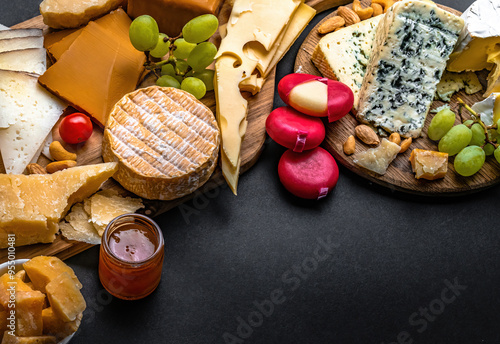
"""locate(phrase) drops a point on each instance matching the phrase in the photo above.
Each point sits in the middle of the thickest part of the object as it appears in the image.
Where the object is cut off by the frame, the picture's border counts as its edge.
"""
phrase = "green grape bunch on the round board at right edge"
(471, 142)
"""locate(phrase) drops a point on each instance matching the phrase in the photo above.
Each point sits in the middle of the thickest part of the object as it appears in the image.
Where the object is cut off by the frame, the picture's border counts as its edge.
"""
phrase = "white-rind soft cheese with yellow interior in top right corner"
(479, 46)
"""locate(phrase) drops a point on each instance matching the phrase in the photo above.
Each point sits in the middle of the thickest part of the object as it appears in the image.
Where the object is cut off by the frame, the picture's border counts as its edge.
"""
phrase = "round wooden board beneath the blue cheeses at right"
(399, 176)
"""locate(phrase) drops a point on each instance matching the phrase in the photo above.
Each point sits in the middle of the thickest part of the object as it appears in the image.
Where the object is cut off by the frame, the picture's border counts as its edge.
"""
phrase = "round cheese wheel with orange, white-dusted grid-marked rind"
(165, 141)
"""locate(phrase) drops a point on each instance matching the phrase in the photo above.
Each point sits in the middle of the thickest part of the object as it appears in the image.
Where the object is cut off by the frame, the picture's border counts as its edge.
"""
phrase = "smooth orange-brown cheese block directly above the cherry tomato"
(99, 68)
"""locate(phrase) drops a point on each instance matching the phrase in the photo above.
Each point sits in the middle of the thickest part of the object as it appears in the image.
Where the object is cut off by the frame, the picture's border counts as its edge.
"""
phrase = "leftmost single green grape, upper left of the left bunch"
(143, 33)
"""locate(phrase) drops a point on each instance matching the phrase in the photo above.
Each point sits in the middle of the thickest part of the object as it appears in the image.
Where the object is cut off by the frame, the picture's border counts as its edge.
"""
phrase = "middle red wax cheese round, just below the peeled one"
(294, 130)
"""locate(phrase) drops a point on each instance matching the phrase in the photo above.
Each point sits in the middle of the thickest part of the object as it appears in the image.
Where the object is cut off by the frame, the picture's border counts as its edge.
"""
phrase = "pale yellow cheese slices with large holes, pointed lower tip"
(257, 35)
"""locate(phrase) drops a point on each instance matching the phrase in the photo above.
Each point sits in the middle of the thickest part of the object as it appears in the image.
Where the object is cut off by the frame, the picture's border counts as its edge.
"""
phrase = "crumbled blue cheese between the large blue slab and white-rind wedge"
(454, 82)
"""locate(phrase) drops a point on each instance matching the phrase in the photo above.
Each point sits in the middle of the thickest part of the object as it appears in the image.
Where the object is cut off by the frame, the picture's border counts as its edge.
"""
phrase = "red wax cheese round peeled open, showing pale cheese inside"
(316, 96)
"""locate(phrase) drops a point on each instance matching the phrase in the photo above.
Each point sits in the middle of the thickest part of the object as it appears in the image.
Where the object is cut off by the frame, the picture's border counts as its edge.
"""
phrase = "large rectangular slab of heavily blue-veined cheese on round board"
(412, 44)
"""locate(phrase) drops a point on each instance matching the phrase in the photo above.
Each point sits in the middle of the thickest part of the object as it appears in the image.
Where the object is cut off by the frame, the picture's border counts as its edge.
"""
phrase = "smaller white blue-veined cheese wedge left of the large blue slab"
(343, 55)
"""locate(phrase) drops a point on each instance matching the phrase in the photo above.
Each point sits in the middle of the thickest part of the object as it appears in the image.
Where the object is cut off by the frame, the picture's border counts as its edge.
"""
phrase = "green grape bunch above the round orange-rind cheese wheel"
(181, 61)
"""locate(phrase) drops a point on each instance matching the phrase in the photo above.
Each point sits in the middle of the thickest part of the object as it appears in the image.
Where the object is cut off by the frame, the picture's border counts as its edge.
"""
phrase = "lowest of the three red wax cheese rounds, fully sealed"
(310, 175)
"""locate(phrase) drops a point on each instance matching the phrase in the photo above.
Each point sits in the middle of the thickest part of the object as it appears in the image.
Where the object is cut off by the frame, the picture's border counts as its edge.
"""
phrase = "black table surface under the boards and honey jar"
(364, 265)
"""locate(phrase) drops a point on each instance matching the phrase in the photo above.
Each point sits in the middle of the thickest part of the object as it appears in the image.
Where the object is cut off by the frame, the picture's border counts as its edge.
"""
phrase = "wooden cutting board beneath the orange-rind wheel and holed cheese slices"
(259, 106)
